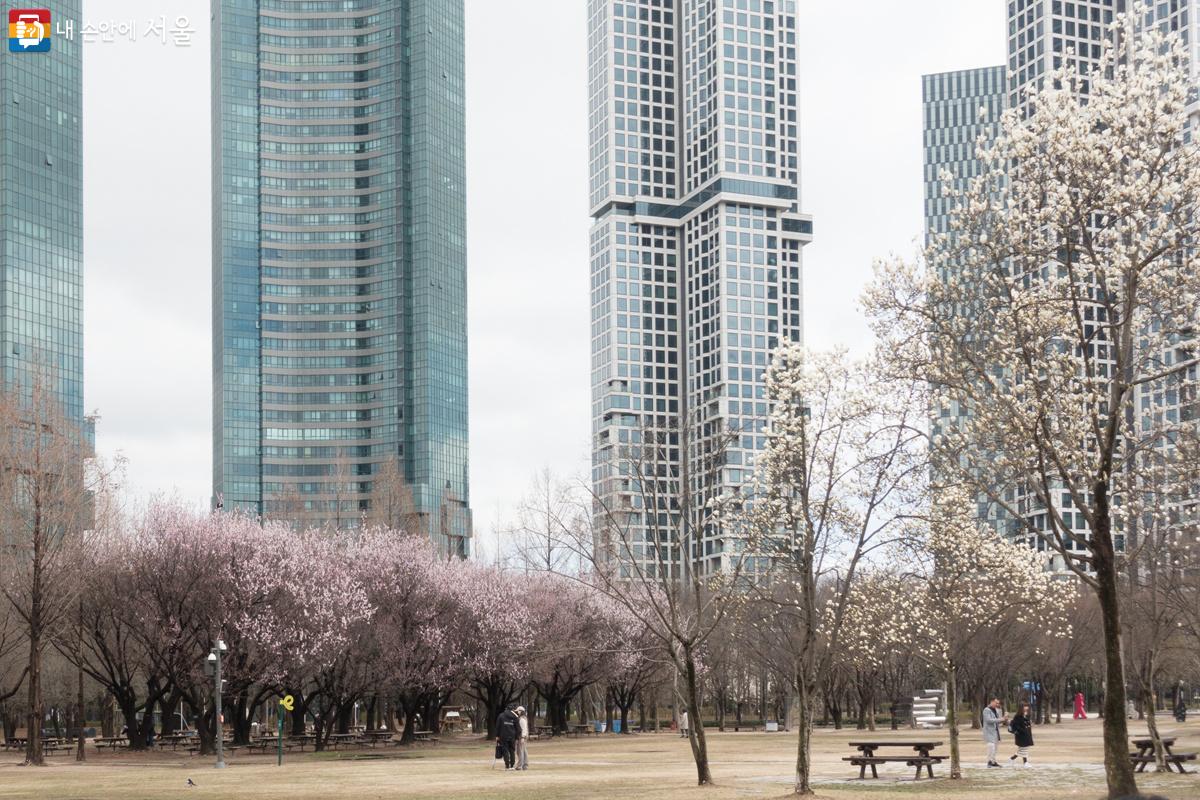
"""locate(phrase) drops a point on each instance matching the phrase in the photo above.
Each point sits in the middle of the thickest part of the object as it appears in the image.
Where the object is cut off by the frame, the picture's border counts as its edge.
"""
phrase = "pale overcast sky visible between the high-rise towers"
(147, 219)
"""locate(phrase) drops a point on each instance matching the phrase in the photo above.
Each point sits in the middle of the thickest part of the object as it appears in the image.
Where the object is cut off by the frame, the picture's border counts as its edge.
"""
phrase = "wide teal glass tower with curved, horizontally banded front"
(340, 266)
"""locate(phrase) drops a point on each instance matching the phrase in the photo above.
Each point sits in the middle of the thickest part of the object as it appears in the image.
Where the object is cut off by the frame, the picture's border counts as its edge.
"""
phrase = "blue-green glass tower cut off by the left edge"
(41, 214)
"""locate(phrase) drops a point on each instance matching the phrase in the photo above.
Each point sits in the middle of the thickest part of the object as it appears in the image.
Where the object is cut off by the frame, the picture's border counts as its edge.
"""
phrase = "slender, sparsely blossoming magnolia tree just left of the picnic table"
(843, 467)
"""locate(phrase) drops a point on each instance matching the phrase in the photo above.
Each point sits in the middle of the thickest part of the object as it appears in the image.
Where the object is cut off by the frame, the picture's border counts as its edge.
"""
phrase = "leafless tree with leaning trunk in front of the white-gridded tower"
(653, 519)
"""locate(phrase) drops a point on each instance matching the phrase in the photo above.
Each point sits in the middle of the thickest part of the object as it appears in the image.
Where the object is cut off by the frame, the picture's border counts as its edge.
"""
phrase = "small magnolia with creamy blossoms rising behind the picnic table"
(971, 579)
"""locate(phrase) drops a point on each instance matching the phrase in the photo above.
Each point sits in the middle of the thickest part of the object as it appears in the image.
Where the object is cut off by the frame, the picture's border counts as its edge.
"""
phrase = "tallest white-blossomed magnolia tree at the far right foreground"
(1065, 291)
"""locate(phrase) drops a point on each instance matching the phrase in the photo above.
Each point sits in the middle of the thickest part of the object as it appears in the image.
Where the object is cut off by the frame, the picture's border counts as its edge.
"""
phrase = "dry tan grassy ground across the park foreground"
(657, 767)
